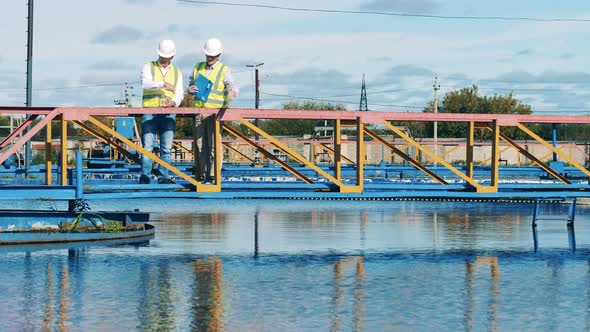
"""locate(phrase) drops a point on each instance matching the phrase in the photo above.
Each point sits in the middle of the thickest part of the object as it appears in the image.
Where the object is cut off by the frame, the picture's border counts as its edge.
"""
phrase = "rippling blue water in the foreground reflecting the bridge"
(351, 268)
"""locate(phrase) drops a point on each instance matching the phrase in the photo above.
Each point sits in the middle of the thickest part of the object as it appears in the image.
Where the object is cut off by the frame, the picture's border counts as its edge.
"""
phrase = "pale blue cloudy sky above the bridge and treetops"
(85, 51)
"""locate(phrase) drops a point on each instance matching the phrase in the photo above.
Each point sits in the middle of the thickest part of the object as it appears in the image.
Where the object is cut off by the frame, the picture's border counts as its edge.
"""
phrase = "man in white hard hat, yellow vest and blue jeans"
(162, 87)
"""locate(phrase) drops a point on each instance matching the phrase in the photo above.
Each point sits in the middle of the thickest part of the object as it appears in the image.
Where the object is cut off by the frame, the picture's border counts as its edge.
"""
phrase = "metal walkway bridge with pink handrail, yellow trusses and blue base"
(340, 176)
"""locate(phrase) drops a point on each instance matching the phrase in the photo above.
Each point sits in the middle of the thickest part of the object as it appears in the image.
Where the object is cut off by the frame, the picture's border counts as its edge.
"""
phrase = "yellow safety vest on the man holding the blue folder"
(218, 96)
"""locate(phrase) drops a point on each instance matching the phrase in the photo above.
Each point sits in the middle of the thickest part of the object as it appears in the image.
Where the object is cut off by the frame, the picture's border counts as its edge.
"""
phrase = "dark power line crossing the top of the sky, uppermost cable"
(362, 12)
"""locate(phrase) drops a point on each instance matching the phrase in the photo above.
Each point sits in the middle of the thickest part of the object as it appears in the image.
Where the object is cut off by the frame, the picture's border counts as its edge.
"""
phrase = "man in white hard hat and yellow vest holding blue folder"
(224, 89)
